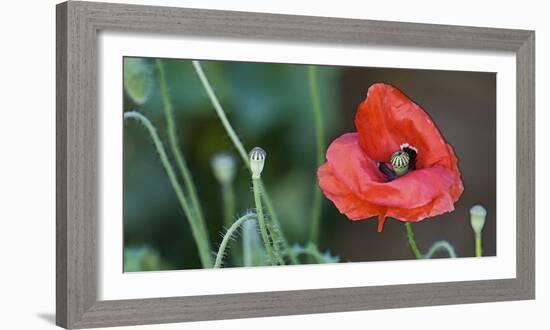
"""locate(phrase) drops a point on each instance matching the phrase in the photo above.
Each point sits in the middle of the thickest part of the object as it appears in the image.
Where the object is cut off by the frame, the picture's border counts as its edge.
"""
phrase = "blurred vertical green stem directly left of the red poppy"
(320, 143)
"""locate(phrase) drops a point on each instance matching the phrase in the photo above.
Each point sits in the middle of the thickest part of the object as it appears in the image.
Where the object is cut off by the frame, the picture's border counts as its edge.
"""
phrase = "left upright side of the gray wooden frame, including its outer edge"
(77, 144)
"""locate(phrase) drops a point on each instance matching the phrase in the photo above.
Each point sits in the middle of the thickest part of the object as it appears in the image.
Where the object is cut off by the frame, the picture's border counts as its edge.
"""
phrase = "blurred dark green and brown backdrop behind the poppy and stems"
(269, 106)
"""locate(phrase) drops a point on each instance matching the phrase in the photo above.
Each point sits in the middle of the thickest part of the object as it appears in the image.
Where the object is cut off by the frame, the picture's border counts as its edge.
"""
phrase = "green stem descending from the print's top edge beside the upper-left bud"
(180, 160)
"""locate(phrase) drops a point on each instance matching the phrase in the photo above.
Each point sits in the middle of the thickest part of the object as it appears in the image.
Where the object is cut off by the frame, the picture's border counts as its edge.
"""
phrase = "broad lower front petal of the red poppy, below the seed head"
(358, 189)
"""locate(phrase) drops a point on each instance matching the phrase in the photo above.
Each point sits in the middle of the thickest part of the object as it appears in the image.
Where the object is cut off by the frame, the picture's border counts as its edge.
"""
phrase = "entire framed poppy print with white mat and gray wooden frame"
(216, 165)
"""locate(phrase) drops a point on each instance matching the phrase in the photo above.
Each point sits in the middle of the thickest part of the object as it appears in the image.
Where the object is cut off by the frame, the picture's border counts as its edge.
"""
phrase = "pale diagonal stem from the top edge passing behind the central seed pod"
(244, 155)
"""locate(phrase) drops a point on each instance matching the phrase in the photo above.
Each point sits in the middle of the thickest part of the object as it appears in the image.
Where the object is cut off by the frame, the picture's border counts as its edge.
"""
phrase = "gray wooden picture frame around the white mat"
(78, 24)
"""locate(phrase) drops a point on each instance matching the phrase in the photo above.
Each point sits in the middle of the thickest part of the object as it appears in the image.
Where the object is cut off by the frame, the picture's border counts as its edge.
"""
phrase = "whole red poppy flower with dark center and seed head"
(396, 165)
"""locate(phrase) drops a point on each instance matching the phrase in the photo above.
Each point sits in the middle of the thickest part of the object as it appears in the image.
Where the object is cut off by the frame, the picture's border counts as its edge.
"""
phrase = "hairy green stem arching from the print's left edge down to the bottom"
(202, 242)
